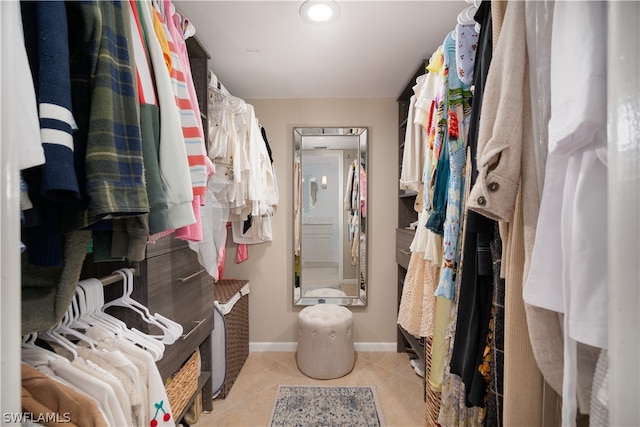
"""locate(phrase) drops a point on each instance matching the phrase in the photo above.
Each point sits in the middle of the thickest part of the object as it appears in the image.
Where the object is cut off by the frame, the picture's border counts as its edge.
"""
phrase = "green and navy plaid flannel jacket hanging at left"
(107, 144)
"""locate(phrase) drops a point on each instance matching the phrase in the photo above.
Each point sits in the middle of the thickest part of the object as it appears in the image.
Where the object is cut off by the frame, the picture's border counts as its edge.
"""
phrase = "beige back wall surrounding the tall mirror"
(272, 316)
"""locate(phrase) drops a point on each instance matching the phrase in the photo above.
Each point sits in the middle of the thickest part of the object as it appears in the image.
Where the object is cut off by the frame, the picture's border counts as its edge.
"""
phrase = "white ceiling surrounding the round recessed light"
(263, 49)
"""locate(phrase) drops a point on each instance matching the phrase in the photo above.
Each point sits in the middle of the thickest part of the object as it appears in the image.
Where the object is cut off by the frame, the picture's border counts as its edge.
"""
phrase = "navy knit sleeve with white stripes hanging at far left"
(45, 30)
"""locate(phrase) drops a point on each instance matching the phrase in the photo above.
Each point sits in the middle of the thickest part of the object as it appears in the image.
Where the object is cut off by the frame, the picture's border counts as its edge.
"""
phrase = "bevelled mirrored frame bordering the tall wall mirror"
(297, 274)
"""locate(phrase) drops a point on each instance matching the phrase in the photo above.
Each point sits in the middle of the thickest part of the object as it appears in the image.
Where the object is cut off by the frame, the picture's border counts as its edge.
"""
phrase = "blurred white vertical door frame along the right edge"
(624, 213)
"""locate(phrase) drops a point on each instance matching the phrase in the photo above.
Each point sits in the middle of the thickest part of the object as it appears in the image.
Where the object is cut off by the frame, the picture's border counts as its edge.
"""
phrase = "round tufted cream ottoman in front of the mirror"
(325, 341)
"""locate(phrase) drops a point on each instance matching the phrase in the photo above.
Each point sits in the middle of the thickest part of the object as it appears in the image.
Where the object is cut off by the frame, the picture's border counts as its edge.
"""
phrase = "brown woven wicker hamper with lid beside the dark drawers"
(237, 336)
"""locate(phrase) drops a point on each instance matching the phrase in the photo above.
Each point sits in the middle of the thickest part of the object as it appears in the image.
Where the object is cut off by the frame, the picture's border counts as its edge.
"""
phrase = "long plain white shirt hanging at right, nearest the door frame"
(575, 283)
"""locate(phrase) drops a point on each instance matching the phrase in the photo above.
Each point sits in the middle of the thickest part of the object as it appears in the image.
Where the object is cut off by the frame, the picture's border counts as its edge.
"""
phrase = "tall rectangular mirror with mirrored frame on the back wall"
(330, 216)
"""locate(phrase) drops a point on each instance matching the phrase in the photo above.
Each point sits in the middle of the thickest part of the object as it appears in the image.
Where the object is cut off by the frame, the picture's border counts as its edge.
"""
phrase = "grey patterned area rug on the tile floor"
(326, 406)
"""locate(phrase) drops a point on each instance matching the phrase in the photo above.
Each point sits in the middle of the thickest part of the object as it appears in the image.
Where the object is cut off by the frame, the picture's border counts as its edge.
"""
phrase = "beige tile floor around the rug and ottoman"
(252, 396)
